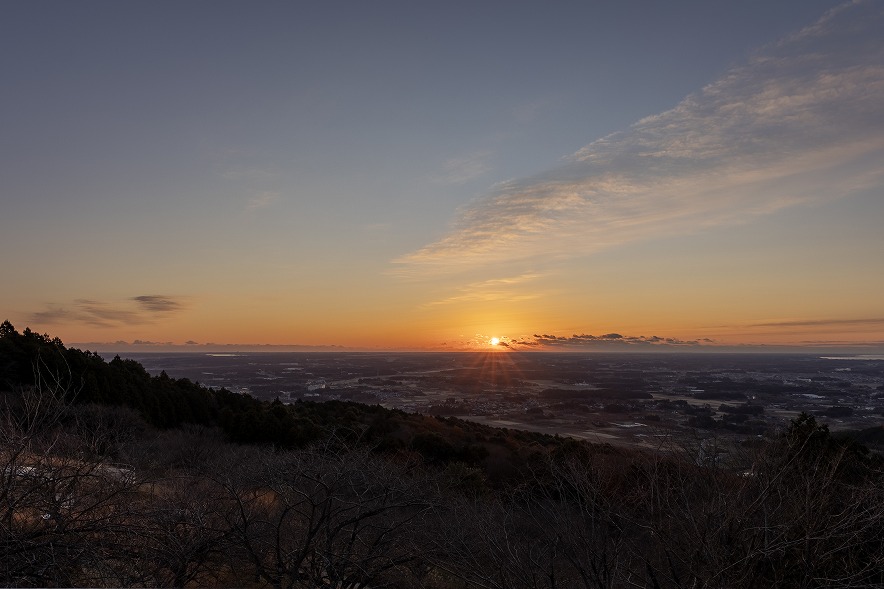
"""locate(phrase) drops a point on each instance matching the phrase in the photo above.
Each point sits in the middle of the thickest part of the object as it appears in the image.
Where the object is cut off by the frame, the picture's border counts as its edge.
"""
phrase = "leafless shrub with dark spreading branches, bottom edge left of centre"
(328, 516)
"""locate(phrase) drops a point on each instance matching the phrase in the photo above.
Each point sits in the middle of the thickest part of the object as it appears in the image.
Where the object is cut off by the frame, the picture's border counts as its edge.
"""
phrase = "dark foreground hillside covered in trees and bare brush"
(111, 477)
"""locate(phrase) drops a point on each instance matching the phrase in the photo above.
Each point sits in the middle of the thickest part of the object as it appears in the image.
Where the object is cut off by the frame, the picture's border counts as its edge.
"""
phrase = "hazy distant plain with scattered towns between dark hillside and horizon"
(622, 399)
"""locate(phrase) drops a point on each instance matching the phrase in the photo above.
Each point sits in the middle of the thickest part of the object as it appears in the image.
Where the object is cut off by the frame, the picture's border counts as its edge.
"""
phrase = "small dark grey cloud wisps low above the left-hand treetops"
(138, 310)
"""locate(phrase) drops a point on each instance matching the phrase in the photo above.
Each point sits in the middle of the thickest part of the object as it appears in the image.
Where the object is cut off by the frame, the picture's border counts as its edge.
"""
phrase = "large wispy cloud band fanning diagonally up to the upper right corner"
(801, 122)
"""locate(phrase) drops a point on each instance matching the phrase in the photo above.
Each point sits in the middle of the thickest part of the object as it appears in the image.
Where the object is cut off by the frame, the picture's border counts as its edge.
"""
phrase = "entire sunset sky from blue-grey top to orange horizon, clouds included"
(430, 175)
